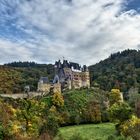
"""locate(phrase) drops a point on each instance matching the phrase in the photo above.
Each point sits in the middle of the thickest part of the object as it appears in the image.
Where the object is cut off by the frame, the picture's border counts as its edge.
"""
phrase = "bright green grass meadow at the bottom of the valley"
(88, 132)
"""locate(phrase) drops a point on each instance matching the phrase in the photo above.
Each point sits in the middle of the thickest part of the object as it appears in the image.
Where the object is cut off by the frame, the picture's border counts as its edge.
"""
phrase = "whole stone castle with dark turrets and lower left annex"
(68, 75)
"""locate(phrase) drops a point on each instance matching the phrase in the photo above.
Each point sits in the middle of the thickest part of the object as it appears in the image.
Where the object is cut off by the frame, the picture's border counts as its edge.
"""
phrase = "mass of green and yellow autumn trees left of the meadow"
(29, 118)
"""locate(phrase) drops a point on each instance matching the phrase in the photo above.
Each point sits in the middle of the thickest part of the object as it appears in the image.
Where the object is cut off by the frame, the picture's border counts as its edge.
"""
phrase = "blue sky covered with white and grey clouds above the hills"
(82, 31)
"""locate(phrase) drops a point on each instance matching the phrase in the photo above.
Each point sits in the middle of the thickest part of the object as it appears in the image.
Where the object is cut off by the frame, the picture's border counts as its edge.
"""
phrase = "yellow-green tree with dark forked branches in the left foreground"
(30, 115)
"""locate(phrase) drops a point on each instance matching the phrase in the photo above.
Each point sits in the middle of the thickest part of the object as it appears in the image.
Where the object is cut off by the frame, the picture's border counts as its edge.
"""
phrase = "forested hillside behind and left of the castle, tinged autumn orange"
(15, 76)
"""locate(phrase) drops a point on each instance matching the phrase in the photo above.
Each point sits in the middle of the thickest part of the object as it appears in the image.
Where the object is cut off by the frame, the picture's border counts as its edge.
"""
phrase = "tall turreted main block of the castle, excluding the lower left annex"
(72, 75)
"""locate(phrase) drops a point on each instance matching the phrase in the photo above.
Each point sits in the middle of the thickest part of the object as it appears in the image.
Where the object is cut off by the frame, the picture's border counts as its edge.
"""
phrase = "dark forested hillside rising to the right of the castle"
(121, 70)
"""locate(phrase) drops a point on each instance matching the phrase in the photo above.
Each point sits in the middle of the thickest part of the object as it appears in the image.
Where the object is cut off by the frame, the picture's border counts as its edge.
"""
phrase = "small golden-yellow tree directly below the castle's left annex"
(58, 99)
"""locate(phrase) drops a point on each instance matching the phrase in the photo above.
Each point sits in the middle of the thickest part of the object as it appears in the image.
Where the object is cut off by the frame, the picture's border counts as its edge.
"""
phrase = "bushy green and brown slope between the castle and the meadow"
(80, 106)
